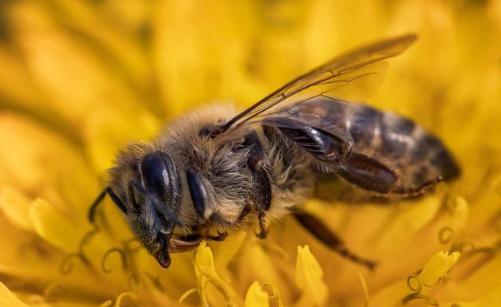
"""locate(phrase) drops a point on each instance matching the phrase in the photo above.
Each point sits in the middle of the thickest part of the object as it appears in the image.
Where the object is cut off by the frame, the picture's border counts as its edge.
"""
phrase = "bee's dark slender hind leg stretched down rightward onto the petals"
(320, 231)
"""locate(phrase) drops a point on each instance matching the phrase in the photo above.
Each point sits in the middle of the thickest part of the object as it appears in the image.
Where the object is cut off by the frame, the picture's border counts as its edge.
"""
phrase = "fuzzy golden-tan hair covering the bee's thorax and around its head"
(223, 168)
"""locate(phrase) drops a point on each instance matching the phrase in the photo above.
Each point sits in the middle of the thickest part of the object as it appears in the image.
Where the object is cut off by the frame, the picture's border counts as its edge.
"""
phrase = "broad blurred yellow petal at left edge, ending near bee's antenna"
(34, 170)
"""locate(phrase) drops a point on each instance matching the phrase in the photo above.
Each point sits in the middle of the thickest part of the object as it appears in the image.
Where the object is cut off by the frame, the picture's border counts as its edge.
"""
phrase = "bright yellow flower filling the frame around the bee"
(79, 79)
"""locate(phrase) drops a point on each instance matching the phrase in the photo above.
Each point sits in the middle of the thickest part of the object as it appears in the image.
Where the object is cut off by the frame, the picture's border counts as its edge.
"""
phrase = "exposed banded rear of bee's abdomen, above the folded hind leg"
(398, 141)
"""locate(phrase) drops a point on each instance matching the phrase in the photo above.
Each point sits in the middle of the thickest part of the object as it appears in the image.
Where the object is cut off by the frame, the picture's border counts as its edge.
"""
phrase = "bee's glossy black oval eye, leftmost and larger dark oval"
(159, 176)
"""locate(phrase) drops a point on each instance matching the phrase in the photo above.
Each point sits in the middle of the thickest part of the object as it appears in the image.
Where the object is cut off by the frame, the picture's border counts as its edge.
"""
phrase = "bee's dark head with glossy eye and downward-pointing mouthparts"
(154, 196)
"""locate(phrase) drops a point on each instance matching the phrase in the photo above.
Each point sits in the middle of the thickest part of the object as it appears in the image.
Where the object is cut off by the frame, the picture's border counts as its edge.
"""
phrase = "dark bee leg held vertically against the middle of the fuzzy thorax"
(261, 194)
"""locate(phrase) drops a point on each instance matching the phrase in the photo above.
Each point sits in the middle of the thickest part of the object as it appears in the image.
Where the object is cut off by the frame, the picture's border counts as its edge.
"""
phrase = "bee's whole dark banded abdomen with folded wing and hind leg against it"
(376, 151)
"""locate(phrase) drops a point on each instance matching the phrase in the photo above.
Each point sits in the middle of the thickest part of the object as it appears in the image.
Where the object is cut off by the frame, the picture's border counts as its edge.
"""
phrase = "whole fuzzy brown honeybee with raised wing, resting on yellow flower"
(214, 170)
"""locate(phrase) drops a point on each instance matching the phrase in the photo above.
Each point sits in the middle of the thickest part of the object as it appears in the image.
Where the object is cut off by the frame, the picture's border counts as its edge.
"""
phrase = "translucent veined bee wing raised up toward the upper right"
(351, 73)
